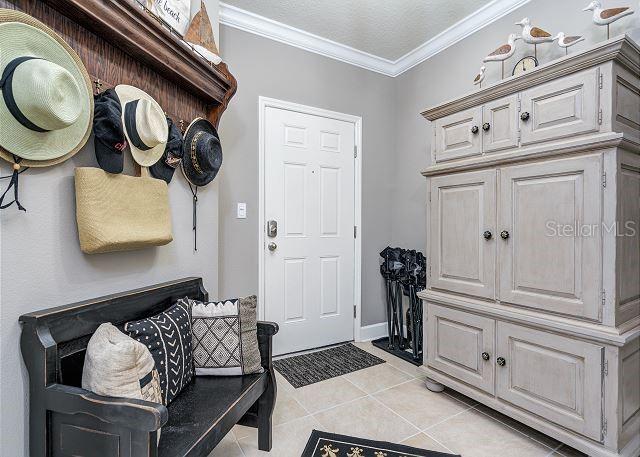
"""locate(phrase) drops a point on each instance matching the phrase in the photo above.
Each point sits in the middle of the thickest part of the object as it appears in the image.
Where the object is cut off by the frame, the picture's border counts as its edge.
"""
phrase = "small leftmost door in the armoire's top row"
(455, 137)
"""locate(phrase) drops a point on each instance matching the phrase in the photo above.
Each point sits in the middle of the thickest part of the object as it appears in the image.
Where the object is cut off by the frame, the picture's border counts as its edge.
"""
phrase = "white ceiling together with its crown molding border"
(385, 36)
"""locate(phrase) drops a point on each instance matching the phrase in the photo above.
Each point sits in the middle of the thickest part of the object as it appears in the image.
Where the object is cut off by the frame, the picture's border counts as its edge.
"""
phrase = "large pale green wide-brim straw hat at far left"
(64, 106)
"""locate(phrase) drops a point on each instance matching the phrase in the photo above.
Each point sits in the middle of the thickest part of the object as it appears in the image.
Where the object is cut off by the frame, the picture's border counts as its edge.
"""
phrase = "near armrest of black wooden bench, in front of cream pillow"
(126, 412)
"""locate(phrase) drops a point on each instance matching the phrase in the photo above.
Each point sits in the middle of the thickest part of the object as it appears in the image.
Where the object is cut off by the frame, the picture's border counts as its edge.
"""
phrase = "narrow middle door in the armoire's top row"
(500, 124)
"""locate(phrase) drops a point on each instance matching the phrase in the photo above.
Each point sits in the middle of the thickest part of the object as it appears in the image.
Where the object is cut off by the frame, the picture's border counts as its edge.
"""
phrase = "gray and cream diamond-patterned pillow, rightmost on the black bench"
(225, 340)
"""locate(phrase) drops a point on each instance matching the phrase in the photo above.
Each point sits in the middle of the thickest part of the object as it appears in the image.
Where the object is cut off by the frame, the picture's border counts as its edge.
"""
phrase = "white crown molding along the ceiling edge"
(259, 25)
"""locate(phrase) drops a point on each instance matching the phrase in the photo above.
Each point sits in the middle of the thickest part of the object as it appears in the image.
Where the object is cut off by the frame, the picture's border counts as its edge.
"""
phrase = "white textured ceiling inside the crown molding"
(384, 28)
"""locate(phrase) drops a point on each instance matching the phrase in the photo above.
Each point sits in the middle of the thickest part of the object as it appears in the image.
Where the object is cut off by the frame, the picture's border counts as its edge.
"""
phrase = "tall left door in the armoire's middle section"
(462, 240)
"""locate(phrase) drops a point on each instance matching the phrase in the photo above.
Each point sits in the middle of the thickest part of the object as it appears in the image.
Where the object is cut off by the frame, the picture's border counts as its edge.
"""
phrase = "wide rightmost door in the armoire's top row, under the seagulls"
(561, 108)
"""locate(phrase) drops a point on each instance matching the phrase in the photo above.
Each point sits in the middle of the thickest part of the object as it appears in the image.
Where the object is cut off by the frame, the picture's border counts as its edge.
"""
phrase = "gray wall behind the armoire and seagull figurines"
(449, 75)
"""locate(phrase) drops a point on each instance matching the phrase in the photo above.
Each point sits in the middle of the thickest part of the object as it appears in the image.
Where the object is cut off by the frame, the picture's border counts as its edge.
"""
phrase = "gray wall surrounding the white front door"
(271, 69)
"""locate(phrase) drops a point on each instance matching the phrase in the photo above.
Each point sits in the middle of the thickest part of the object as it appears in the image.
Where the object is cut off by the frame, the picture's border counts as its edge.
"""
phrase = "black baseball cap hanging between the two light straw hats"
(110, 141)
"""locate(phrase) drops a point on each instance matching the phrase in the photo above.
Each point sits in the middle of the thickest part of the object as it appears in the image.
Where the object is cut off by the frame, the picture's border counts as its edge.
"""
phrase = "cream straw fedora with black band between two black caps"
(146, 130)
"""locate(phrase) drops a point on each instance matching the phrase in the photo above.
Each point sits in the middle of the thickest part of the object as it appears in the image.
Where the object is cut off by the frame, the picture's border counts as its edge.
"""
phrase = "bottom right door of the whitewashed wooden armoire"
(555, 377)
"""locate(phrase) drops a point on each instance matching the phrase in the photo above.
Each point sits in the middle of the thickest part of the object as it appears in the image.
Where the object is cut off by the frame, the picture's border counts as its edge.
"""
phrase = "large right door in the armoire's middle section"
(550, 216)
